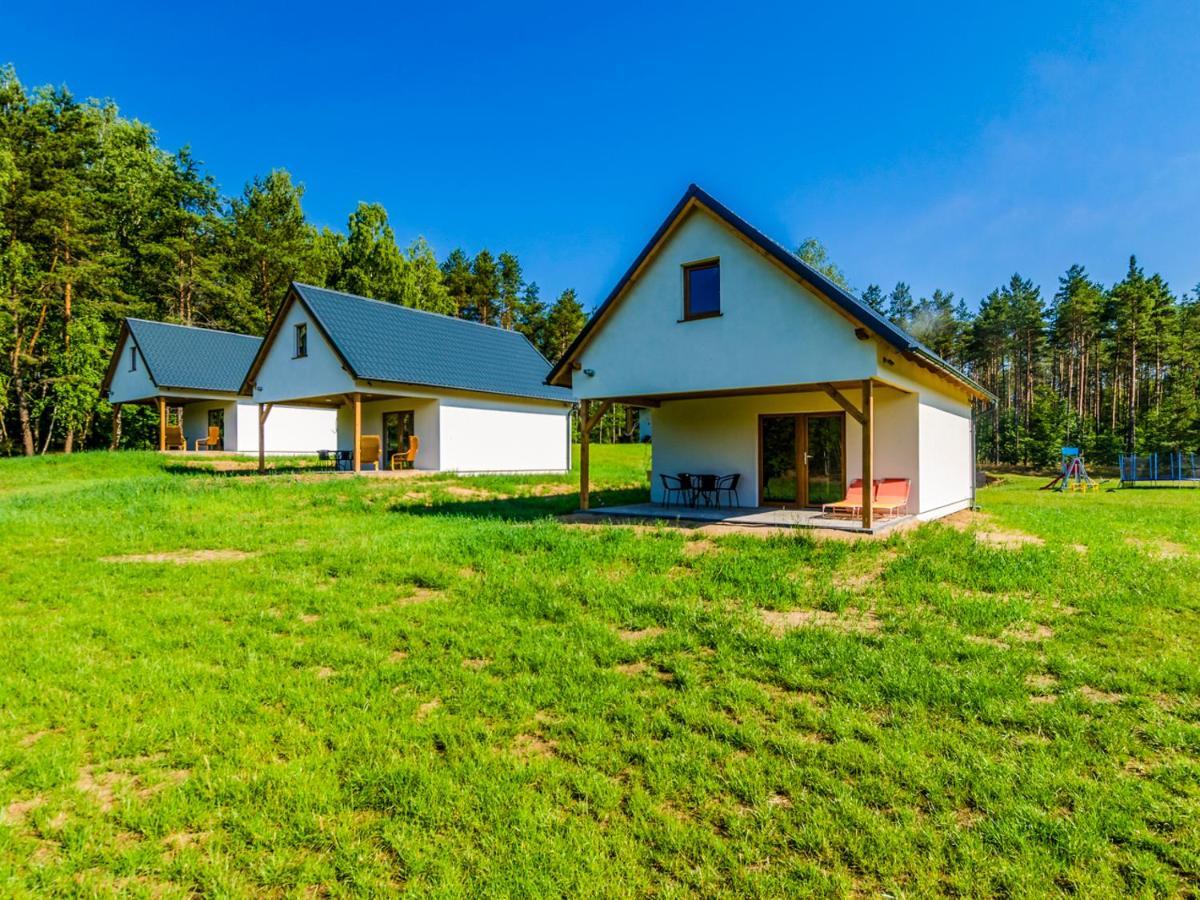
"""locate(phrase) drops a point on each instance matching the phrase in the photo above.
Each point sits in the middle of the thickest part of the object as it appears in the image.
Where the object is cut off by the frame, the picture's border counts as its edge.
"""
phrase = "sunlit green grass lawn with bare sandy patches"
(238, 686)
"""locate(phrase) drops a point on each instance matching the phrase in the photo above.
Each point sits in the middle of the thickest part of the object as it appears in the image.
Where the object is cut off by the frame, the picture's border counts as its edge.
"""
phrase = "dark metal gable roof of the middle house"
(385, 343)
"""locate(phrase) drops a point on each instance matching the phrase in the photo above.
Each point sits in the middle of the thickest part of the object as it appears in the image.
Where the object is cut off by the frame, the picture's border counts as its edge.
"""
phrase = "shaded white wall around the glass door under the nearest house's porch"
(722, 436)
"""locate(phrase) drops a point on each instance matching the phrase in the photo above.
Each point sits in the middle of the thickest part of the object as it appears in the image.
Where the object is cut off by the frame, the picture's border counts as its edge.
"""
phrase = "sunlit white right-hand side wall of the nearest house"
(947, 463)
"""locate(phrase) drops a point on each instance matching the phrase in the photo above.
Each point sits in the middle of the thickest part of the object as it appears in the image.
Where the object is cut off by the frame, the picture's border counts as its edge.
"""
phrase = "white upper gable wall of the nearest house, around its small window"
(772, 331)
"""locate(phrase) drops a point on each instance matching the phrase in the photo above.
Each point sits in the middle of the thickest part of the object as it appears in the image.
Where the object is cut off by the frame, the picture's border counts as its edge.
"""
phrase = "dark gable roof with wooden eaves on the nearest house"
(848, 303)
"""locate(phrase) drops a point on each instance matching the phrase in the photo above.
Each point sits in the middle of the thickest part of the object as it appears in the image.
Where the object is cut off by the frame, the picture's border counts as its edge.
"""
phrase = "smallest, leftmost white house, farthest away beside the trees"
(195, 375)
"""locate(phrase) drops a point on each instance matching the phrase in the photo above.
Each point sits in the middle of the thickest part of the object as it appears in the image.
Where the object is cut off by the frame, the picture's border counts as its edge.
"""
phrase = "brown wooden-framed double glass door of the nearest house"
(802, 459)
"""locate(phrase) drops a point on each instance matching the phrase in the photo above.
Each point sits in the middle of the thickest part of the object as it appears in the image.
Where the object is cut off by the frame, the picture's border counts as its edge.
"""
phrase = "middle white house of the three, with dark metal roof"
(476, 397)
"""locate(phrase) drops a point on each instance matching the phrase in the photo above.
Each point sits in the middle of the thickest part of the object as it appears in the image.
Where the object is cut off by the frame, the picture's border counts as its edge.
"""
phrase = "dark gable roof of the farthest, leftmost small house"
(188, 358)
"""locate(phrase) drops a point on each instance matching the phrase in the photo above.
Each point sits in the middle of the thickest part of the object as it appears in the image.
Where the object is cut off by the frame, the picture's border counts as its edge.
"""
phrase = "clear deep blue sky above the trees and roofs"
(941, 147)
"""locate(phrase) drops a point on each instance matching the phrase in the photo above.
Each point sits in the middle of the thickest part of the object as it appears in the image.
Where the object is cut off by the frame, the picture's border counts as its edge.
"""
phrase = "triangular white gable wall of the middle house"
(319, 375)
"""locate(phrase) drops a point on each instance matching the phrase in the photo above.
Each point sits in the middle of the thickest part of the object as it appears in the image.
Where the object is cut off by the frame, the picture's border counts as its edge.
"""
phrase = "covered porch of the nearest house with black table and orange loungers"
(794, 448)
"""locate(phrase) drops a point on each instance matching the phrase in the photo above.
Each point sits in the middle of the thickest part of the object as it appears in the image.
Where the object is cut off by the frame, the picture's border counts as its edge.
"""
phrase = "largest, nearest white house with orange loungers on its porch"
(754, 364)
